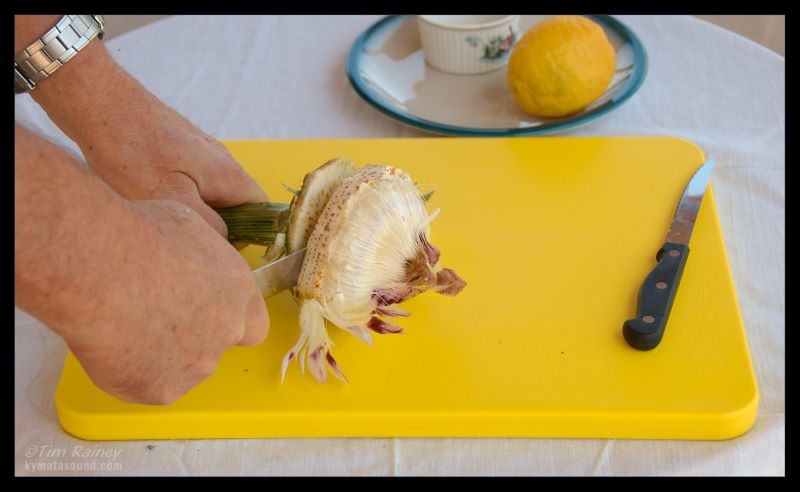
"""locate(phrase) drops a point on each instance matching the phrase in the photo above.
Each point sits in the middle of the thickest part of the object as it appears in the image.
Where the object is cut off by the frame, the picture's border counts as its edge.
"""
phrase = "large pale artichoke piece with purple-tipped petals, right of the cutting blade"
(368, 250)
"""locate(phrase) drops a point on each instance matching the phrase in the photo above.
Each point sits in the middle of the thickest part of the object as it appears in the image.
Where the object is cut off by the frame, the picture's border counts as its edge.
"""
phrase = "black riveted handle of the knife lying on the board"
(655, 298)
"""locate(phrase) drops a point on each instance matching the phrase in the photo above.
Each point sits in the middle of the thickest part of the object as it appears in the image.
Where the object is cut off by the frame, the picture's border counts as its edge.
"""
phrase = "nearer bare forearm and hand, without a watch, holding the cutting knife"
(145, 293)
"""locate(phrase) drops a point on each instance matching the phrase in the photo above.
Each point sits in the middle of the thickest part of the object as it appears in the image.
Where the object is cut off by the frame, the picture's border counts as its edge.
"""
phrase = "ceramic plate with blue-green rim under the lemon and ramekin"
(387, 68)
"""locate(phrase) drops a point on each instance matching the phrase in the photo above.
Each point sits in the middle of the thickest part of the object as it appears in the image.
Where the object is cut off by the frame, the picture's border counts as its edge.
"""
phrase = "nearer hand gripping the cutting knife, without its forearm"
(183, 297)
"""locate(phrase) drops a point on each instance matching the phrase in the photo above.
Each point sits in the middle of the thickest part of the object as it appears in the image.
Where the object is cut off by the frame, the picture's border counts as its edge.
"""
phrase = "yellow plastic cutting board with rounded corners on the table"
(554, 237)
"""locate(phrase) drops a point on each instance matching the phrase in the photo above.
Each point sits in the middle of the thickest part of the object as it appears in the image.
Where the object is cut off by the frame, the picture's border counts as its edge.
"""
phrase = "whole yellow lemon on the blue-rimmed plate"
(560, 66)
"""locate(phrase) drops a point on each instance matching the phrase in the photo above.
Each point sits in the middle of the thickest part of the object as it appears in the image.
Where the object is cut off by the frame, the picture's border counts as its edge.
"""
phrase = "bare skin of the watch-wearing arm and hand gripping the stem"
(138, 145)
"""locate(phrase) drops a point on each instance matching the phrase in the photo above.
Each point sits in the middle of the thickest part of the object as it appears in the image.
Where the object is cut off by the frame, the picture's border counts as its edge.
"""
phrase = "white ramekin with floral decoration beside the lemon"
(468, 43)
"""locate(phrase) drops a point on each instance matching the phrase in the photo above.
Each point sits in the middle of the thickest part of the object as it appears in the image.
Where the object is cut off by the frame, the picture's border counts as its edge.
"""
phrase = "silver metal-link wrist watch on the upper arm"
(55, 48)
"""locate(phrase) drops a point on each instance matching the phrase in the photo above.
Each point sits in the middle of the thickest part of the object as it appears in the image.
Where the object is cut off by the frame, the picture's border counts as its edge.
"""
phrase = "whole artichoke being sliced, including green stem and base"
(367, 233)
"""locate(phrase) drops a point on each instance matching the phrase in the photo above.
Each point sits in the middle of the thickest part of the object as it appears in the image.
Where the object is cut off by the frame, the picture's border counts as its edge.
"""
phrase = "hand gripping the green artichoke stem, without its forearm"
(149, 151)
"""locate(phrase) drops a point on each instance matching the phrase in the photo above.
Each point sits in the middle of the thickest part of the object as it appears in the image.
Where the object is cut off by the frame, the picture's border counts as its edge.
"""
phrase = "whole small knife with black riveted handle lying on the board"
(657, 293)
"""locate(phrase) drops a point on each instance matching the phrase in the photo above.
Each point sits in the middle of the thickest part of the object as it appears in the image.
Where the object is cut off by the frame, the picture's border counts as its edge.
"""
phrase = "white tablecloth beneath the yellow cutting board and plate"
(284, 78)
